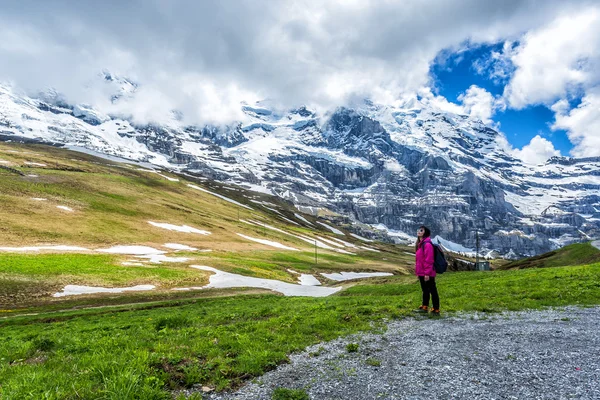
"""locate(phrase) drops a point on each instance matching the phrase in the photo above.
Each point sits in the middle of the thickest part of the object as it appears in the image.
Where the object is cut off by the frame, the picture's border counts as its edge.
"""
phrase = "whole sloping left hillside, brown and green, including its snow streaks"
(70, 218)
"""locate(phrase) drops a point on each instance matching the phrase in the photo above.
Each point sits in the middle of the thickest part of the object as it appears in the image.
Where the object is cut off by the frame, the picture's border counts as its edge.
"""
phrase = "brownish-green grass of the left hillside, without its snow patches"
(112, 206)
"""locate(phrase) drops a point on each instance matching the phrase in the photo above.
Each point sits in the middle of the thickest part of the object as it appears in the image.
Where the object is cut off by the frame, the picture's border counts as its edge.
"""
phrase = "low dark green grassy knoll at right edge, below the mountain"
(575, 254)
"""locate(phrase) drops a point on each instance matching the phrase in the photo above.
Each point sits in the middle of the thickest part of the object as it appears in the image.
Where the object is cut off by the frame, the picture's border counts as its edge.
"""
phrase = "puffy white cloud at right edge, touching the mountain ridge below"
(581, 123)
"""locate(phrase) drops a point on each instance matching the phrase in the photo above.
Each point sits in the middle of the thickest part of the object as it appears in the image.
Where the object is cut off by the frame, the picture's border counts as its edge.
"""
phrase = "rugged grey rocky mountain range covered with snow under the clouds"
(391, 167)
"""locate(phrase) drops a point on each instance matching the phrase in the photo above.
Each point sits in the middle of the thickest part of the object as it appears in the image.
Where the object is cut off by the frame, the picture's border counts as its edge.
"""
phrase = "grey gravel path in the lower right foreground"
(551, 354)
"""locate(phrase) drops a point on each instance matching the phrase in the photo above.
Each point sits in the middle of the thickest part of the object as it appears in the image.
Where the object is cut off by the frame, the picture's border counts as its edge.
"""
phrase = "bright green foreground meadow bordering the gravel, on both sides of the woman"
(125, 353)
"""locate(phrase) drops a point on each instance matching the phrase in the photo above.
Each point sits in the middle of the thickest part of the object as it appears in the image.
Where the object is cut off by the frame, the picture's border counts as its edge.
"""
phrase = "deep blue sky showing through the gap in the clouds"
(455, 73)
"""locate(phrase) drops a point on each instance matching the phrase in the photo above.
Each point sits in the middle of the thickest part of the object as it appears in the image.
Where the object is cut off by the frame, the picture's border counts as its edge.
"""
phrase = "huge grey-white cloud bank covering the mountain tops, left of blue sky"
(205, 57)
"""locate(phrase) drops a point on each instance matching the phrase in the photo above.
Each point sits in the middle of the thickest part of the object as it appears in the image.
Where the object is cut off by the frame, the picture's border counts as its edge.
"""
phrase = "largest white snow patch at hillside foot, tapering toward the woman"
(224, 280)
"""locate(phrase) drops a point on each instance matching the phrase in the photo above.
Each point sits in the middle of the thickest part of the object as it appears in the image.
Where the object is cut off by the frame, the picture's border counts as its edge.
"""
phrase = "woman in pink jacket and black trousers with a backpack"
(424, 255)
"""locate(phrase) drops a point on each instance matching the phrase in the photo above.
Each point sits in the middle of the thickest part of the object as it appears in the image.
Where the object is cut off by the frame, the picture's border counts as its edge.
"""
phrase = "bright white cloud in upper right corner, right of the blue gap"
(557, 59)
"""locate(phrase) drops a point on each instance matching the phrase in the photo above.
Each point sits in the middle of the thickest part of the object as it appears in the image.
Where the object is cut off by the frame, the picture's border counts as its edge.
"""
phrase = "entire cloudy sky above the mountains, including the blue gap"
(529, 68)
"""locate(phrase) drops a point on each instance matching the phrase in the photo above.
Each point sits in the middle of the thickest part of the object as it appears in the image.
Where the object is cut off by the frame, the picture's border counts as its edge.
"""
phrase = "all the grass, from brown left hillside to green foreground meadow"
(168, 340)
